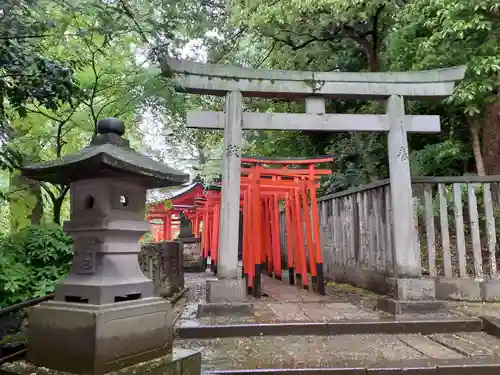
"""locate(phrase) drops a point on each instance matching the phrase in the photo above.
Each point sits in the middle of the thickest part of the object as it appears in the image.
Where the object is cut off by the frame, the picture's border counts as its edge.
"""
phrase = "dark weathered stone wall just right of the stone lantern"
(163, 262)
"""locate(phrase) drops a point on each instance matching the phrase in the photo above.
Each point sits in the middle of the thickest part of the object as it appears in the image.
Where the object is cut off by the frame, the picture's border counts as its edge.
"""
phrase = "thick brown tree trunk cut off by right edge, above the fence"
(491, 137)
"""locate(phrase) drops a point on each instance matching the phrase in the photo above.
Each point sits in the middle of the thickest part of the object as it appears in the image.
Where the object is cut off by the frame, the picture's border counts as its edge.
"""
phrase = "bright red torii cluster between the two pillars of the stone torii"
(262, 190)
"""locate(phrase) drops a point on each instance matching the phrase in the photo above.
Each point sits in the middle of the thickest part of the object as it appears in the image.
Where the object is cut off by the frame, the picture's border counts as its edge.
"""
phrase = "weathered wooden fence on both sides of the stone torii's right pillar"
(457, 220)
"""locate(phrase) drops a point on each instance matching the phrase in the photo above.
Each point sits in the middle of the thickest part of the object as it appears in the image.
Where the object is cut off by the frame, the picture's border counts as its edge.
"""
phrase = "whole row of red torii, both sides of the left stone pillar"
(269, 187)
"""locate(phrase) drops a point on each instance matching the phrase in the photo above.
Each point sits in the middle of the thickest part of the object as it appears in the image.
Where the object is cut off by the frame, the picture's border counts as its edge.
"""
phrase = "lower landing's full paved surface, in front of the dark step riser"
(337, 351)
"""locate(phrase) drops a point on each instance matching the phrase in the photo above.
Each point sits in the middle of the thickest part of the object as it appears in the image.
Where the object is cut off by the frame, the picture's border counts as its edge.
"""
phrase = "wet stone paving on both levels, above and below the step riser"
(285, 303)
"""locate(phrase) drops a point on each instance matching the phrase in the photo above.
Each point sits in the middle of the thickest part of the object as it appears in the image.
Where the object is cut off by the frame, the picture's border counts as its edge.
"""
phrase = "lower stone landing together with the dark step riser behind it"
(424, 346)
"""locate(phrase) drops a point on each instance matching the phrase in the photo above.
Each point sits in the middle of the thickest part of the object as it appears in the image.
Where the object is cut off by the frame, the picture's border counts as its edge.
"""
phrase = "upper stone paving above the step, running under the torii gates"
(287, 303)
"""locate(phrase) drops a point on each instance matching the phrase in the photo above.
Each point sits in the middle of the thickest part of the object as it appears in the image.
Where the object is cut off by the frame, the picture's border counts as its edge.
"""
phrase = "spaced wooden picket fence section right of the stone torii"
(457, 230)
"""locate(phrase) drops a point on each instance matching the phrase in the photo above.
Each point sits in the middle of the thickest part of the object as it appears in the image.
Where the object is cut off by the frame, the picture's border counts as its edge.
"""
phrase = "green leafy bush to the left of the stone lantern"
(33, 260)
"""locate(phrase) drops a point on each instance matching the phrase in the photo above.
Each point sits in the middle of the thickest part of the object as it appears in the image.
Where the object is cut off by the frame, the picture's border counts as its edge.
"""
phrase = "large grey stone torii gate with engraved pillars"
(315, 87)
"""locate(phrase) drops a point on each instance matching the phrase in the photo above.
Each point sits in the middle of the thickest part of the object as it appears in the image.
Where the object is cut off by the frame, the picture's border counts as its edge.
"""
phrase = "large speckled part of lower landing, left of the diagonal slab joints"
(298, 351)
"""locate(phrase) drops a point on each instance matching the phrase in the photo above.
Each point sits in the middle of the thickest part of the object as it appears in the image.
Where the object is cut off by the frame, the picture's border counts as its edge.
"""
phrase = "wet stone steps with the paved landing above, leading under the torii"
(309, 334)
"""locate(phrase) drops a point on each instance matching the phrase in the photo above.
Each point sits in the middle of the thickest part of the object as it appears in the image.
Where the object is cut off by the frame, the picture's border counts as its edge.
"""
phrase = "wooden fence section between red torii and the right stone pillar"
(356, 228)
